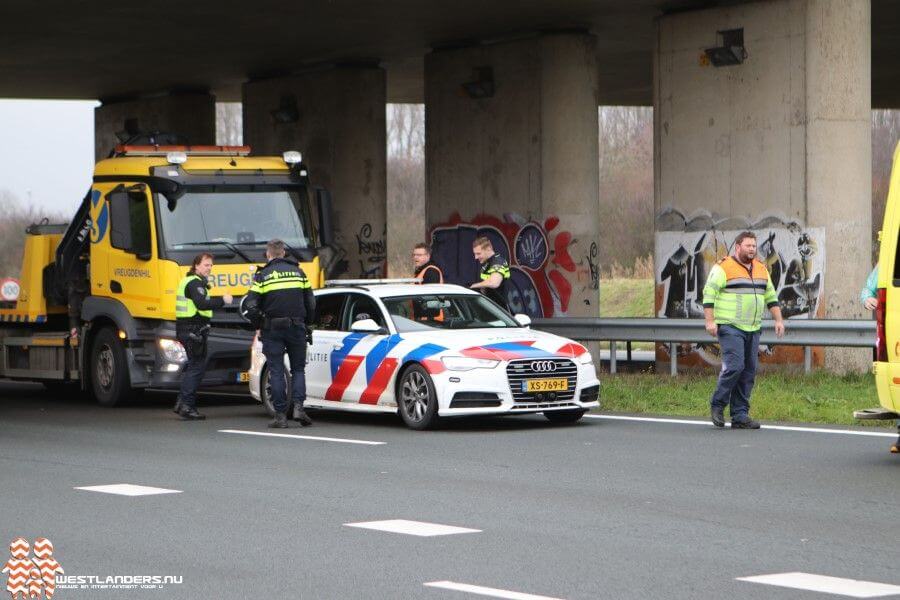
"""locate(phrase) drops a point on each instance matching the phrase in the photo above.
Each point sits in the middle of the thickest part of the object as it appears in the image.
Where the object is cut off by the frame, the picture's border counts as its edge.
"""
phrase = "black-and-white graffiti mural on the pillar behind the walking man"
(686, 250)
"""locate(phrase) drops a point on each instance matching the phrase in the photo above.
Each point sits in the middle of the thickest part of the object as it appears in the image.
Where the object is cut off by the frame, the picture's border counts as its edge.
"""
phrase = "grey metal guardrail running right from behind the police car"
(798, 332)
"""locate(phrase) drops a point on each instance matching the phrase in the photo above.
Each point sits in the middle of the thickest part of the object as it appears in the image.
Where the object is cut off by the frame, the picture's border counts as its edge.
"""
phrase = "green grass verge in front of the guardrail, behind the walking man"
(817, 398)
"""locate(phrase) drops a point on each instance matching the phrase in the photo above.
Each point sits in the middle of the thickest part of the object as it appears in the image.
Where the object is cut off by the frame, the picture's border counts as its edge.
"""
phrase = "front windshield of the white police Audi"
(429, 312)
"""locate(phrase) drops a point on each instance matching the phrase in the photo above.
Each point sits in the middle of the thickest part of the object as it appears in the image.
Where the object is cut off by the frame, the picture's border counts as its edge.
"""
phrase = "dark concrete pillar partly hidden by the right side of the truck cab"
(336, 119)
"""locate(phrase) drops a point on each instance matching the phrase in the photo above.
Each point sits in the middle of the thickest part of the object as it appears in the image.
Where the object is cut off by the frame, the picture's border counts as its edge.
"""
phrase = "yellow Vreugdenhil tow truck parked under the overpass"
(149, 211)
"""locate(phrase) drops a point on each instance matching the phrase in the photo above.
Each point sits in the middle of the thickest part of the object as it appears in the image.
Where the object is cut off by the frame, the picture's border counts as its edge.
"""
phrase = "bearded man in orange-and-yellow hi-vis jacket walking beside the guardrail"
(737, 293)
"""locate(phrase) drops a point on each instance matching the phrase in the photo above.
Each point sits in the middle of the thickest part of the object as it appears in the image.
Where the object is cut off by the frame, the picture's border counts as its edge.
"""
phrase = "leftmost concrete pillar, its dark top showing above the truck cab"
(190, 115)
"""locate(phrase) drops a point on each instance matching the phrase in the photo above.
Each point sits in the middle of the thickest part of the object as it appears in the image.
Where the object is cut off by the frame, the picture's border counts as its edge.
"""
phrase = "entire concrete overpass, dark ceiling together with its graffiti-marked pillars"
(779, 143)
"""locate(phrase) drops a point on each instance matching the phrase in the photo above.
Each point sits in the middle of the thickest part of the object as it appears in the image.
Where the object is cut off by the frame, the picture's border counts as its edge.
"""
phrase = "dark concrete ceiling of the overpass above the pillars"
(107, 50)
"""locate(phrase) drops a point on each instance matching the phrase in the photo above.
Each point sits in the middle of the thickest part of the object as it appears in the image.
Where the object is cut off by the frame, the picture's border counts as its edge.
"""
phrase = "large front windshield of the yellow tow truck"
(229, 215)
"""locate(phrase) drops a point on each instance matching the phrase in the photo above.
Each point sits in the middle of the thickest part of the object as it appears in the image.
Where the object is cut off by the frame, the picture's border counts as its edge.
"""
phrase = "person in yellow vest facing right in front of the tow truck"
(193, 312)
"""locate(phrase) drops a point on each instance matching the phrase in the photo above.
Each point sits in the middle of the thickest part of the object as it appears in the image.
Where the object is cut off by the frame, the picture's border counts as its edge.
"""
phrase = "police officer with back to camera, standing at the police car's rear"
(281, 300)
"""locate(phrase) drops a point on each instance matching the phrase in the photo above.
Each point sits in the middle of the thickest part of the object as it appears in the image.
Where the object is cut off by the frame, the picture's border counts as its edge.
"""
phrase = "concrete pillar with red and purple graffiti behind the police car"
(511, 153)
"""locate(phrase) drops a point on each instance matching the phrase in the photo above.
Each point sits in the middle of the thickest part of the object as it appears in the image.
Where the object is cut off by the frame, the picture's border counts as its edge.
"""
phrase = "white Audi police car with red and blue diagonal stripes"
(433, 351)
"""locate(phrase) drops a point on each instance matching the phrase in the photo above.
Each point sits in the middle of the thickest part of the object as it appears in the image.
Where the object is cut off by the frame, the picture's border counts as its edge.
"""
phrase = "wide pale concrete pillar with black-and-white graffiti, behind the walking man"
(780, 144)
